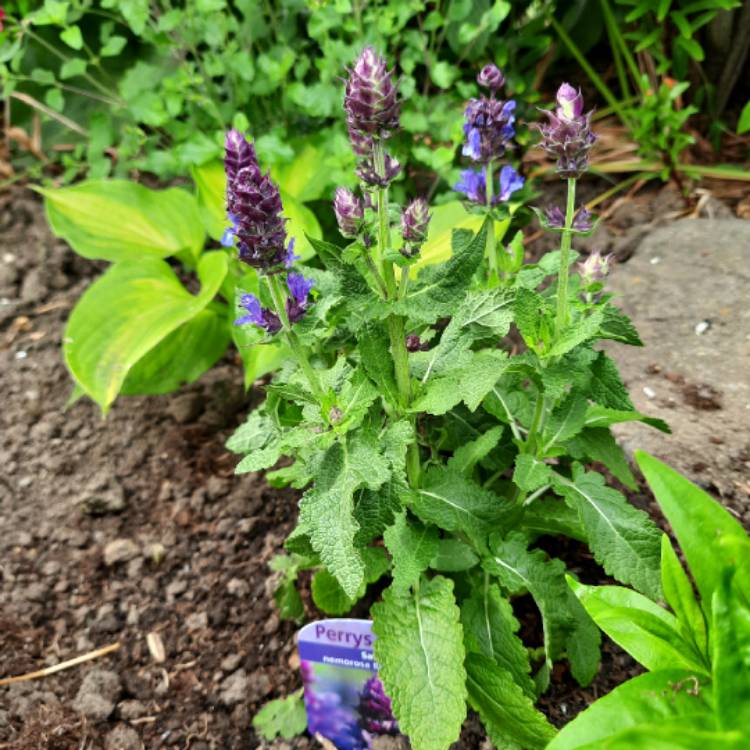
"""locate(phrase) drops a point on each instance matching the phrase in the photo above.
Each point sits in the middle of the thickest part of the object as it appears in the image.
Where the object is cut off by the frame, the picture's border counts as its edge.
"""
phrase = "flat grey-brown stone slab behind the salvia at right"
(687, 289)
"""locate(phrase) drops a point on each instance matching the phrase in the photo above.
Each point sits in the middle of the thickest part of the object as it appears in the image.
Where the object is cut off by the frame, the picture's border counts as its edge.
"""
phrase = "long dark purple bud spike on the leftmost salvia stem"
(254, 207)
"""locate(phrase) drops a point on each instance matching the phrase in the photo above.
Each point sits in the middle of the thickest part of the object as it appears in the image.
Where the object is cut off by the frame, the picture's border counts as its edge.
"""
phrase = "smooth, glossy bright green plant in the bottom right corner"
(697, 690)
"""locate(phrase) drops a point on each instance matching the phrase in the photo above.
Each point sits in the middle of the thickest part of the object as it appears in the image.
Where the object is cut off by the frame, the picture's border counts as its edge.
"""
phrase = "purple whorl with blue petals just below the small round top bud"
(488, 128)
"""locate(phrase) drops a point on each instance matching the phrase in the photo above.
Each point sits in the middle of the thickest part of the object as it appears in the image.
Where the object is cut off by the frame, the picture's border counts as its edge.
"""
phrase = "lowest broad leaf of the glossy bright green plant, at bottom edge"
(649, 698)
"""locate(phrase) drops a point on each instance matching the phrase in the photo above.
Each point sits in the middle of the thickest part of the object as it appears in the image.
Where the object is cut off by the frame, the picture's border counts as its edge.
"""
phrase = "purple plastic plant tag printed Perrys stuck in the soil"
(344, 698)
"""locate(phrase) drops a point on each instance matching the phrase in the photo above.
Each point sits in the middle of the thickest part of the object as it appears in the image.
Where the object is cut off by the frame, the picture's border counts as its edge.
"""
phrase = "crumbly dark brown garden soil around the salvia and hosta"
(195, 573)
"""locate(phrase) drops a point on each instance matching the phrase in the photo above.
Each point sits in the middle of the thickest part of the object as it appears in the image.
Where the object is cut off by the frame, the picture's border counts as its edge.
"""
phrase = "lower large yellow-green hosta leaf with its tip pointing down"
(126, 313)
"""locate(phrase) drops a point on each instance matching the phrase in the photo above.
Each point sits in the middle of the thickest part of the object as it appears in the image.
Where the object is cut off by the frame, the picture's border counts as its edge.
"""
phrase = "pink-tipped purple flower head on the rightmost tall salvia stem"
(567, 135)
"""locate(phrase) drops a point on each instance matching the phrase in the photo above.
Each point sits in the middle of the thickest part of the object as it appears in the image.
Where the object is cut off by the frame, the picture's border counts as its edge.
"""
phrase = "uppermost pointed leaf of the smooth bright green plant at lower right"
(698, 521)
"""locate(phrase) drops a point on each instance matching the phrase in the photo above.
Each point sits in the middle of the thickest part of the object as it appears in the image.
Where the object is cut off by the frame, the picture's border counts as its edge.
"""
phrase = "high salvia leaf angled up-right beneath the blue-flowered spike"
(439, 287)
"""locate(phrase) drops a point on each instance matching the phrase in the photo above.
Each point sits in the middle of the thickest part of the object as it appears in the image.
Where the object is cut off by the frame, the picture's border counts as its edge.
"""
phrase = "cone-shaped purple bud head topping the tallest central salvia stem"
(371, 101)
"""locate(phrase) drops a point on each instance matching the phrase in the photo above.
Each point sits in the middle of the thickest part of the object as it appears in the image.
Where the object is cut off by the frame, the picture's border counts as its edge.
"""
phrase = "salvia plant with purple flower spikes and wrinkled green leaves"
(442, 423)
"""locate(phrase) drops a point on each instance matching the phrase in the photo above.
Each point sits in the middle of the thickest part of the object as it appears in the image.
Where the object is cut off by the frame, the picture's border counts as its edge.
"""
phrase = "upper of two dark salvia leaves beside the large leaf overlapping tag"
(490, 629)
